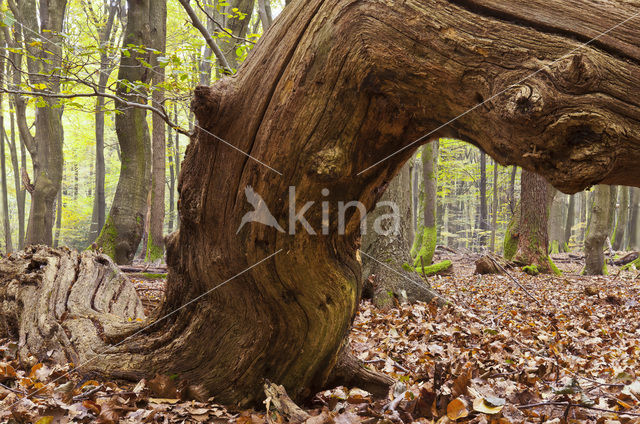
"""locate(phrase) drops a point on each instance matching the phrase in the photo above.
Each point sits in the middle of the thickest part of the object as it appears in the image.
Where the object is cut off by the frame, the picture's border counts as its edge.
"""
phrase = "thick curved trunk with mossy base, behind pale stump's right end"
(122, 232)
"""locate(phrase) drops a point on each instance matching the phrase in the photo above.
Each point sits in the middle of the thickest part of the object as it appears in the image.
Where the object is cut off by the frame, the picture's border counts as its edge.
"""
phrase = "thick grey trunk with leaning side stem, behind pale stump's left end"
(43, 62)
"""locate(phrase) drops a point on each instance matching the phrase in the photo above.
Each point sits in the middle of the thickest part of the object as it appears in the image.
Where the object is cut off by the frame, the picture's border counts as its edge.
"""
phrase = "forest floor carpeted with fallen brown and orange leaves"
(494, 354)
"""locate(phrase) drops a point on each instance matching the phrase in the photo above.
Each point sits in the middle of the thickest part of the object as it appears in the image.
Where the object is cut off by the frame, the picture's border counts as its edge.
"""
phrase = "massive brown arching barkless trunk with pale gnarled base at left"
(333, 88)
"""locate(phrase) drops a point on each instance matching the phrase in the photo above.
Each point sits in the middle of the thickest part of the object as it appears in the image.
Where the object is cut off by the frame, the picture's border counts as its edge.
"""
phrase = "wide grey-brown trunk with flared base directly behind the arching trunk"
(385, 247)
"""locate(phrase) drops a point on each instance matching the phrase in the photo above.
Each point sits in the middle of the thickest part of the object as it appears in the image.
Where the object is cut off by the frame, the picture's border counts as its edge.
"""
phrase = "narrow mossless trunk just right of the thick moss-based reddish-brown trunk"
(598, 231)
